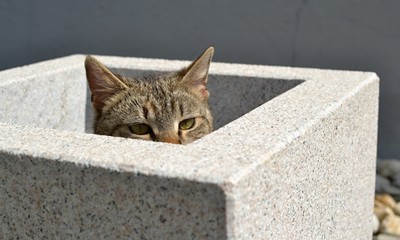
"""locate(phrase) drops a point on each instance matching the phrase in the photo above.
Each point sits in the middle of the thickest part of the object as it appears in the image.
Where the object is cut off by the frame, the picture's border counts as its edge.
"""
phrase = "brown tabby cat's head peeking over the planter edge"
(171, 108)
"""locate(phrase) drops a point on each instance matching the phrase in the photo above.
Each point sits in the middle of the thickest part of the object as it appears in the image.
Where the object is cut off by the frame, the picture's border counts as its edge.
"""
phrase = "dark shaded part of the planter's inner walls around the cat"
(230, 96)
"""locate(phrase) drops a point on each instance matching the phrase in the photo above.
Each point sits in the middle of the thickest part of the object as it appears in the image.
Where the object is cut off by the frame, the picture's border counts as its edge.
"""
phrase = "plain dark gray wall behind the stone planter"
(336, 34)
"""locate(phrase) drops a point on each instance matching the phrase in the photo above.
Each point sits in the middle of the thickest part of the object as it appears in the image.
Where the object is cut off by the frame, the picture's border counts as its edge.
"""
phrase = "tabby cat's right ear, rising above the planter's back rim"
(196, 75)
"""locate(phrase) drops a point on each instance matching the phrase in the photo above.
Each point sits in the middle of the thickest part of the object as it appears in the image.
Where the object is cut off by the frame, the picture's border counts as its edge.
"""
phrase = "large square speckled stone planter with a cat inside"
(293, 157)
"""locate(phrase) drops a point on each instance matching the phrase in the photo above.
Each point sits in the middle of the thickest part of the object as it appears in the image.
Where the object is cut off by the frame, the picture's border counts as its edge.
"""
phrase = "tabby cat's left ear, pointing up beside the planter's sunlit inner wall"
(102, 82)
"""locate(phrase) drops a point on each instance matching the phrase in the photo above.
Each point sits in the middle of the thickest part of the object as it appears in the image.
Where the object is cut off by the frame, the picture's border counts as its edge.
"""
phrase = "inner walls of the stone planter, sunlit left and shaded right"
(61, 100)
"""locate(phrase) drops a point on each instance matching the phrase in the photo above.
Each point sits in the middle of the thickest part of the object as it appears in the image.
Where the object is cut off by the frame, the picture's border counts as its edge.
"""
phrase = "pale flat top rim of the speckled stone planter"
(223, 157)
